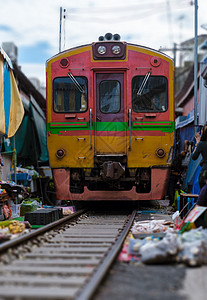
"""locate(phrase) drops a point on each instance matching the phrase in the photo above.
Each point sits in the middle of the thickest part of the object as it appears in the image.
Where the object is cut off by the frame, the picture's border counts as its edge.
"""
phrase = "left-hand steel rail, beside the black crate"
(19, 240)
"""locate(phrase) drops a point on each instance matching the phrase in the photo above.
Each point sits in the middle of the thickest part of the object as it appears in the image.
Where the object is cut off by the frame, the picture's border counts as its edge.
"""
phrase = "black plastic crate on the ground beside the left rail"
(43, 216)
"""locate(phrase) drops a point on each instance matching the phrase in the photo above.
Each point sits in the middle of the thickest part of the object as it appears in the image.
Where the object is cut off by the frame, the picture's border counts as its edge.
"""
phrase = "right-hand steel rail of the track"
(88, 291)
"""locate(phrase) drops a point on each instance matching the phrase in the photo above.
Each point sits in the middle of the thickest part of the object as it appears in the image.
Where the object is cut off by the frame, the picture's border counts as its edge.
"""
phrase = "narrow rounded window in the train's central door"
(110, 96)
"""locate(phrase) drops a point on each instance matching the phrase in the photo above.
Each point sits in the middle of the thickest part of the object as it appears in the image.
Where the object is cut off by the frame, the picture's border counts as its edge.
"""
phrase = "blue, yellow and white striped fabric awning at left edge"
(11, 107)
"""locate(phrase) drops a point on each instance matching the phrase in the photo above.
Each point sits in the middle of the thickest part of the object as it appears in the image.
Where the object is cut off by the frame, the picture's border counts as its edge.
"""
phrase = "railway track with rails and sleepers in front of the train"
(64, 260)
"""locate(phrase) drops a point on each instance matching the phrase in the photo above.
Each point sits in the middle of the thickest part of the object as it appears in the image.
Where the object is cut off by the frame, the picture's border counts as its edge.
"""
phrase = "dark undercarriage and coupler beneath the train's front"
(110, 174)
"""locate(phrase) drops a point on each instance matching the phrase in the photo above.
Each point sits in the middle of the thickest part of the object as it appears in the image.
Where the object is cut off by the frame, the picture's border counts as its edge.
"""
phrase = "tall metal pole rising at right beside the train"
(196, 66)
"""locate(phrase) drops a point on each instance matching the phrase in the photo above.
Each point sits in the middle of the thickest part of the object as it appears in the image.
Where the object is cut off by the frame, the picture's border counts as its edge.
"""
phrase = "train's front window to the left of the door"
(70, 94)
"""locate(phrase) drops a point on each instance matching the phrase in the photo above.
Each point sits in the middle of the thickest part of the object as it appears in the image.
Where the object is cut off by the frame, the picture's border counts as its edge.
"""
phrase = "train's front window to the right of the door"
(149, 93)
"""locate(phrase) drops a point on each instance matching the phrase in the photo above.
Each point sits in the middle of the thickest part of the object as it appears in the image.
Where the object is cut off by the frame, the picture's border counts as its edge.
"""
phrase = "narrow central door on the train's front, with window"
(110, 132)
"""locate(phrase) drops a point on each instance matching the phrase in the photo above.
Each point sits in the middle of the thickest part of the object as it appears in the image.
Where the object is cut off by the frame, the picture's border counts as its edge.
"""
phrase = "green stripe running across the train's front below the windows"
(56, 128)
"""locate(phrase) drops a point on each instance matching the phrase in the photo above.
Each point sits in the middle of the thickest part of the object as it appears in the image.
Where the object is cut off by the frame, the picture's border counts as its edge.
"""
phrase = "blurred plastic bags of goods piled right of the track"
(151, 247)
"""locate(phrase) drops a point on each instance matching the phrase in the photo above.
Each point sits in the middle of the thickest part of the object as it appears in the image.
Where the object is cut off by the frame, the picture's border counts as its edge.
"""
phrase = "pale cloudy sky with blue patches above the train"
(34, 25)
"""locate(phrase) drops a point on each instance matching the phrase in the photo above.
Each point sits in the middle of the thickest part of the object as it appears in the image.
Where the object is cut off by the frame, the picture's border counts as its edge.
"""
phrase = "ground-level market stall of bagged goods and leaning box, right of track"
(169, 241)
